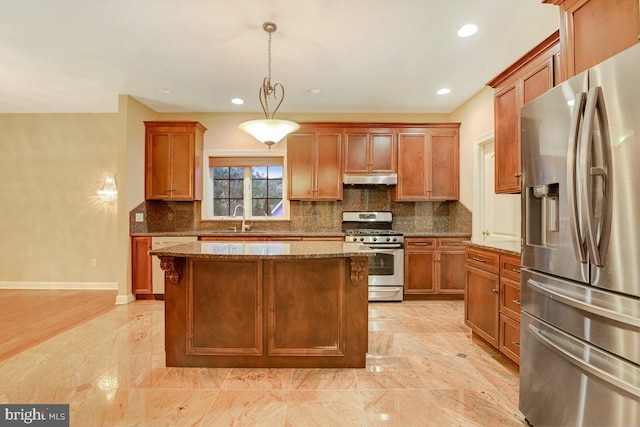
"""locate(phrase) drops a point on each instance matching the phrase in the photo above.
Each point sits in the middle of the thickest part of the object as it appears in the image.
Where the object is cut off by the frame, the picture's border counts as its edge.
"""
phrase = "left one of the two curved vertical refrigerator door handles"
(572, 193)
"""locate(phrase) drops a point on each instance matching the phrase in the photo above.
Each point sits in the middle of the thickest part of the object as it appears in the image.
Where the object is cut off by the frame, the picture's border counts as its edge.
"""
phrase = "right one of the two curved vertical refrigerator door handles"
(597, 235)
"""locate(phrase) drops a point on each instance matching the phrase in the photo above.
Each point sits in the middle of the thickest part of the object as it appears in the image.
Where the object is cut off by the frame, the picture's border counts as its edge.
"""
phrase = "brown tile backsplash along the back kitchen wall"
(313, 216)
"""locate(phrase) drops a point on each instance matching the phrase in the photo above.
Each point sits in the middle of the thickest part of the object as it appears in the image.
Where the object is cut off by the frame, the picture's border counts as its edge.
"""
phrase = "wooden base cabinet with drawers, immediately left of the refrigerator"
(492, 299)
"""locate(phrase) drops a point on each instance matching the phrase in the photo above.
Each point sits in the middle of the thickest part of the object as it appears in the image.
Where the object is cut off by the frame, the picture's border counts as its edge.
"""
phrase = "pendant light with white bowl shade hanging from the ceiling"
(269, 131)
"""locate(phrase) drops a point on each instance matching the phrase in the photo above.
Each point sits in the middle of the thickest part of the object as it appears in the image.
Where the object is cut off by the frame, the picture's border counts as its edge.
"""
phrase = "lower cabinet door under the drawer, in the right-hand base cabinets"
(481, 303)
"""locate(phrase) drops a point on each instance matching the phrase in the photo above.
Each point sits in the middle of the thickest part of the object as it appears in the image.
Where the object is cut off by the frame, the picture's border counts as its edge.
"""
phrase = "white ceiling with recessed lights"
(378, 56)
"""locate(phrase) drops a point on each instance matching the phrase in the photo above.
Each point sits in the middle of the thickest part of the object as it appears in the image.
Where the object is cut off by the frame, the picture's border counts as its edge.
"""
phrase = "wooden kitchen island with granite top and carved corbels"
(265, 304)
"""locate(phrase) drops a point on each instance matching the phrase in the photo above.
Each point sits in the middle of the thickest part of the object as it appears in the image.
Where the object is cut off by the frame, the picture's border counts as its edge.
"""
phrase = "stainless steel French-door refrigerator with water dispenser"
(580, 286)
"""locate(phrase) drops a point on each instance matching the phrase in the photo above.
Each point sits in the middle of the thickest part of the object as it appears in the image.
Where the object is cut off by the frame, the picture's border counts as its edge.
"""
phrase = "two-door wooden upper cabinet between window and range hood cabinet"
(314, 162)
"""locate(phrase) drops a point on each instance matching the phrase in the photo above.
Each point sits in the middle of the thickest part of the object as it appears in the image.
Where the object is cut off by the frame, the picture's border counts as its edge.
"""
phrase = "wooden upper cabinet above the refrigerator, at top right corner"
(594, 30)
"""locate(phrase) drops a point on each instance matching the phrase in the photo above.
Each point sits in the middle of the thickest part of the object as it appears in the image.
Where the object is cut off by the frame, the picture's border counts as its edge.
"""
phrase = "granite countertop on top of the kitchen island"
(259, 250)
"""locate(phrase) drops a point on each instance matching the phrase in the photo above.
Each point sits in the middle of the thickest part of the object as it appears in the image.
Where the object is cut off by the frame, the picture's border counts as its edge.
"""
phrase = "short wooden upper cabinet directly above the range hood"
(369, 150)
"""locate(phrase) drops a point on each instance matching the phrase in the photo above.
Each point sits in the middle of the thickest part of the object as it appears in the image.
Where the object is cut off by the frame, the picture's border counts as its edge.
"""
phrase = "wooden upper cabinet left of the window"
(173, 160)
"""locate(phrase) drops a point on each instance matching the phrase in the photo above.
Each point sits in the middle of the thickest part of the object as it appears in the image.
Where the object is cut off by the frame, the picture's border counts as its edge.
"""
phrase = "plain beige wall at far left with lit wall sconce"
(52, 222)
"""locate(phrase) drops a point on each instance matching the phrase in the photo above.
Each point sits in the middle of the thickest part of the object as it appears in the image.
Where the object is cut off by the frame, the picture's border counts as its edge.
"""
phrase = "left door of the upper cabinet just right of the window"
(301, 163)
